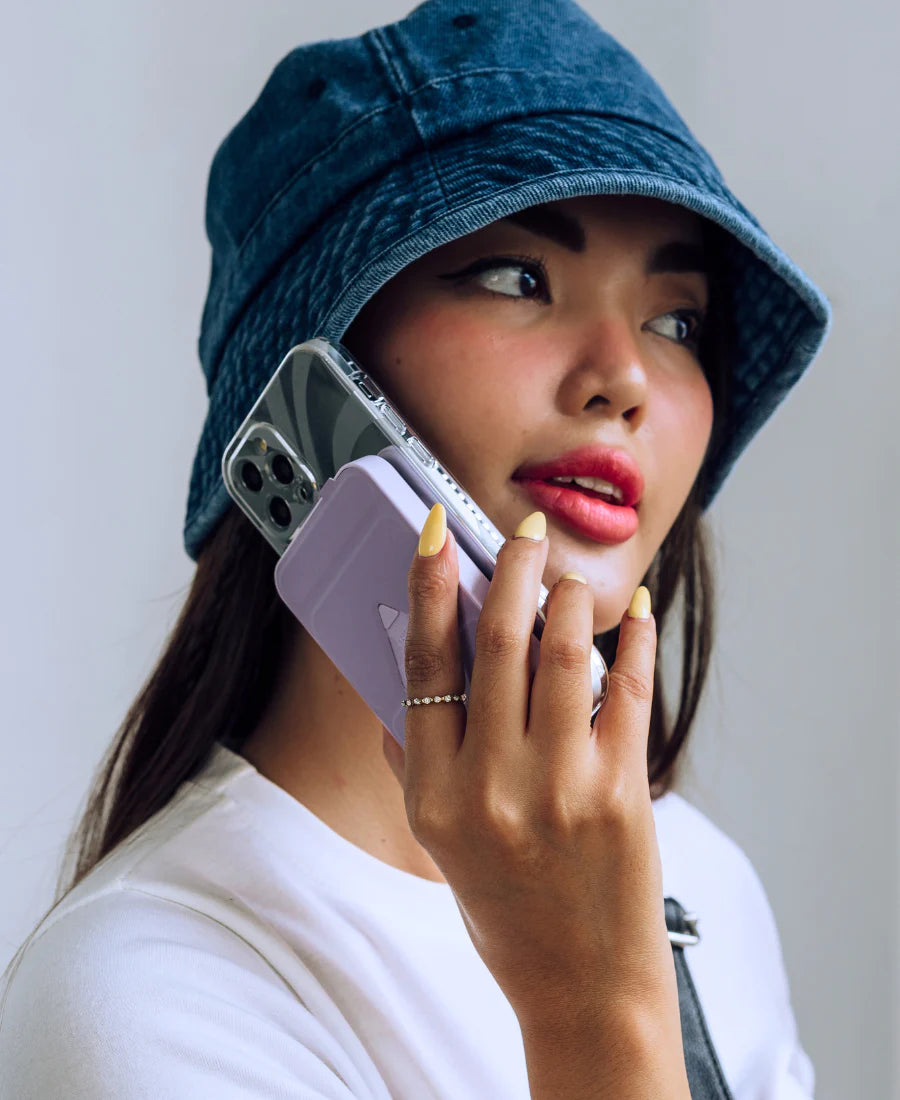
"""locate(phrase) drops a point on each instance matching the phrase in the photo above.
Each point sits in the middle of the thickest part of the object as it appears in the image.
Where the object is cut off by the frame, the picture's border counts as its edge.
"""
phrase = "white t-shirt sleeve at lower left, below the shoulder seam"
(131, 995)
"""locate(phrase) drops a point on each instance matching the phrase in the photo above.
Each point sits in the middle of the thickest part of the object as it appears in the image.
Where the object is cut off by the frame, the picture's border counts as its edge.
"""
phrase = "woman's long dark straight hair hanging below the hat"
(219, 666)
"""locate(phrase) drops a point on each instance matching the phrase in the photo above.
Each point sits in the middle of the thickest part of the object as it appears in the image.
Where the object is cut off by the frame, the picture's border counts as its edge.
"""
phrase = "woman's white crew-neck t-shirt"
(237, 948)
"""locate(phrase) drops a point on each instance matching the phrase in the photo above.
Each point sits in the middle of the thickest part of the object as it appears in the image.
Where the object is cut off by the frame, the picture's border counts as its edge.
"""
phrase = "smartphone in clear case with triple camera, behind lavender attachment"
(319, 414)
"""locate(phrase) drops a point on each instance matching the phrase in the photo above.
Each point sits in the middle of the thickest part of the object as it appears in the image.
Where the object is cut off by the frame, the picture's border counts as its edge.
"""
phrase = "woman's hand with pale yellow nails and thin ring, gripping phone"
(541, 823)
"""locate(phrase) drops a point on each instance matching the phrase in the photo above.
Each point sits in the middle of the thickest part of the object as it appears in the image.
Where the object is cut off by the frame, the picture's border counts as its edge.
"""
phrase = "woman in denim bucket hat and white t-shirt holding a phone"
(500, 214)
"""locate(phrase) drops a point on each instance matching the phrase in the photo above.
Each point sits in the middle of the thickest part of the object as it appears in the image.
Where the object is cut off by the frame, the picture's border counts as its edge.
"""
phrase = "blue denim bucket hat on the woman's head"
(364, 155)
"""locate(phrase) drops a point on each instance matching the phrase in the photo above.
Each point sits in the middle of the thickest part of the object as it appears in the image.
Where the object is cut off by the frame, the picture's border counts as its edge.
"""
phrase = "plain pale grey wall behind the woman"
(112, 114)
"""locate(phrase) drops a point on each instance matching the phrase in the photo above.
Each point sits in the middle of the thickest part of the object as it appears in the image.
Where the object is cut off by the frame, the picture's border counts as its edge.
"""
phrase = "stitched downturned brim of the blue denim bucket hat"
(317, 289)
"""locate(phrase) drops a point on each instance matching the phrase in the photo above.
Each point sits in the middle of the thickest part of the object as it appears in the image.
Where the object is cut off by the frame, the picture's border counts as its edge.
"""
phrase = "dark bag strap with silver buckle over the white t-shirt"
(705, 1072)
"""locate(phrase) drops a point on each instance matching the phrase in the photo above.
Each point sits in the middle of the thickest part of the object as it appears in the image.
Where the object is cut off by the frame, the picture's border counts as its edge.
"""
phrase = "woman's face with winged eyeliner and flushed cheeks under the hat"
(545, 334)
